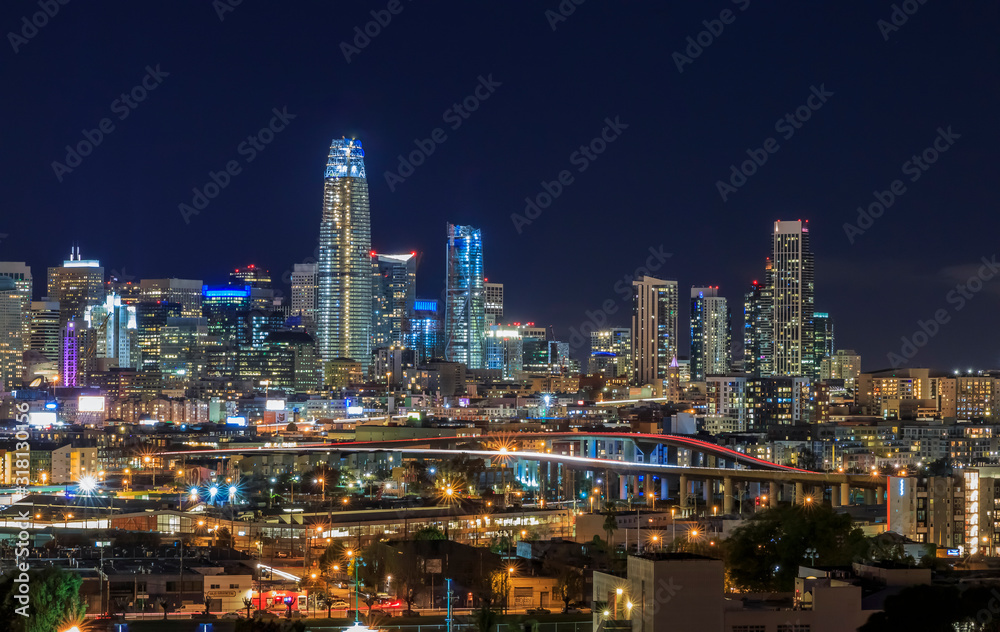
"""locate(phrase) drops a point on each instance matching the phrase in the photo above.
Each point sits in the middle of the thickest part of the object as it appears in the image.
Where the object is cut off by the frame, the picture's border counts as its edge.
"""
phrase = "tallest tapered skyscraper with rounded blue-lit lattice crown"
(344, 310)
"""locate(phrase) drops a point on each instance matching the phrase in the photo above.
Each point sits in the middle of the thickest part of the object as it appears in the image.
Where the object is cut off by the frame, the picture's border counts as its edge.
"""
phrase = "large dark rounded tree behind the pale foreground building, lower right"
(764, 554)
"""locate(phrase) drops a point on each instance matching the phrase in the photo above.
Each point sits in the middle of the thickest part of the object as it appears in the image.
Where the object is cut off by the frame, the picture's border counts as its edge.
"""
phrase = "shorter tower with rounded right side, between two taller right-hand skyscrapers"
(711, 333)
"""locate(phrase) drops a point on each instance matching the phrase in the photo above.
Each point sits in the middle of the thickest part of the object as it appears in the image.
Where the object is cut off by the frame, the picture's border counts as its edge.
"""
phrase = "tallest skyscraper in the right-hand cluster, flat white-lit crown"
(792, 283)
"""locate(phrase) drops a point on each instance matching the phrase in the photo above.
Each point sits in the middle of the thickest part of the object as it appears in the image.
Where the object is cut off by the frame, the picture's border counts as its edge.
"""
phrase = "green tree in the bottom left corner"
(53, 601)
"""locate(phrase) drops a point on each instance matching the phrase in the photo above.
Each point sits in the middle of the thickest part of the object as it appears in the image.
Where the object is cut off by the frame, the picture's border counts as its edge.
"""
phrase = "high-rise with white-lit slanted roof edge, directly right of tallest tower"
(394, 279)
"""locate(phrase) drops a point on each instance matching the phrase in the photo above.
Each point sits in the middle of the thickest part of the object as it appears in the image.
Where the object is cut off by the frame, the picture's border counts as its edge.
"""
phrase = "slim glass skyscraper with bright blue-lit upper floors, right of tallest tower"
(465, 298)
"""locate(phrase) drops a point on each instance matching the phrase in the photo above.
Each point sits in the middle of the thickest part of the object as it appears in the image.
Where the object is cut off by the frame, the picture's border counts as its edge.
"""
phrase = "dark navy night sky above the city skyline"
(654, 186)
